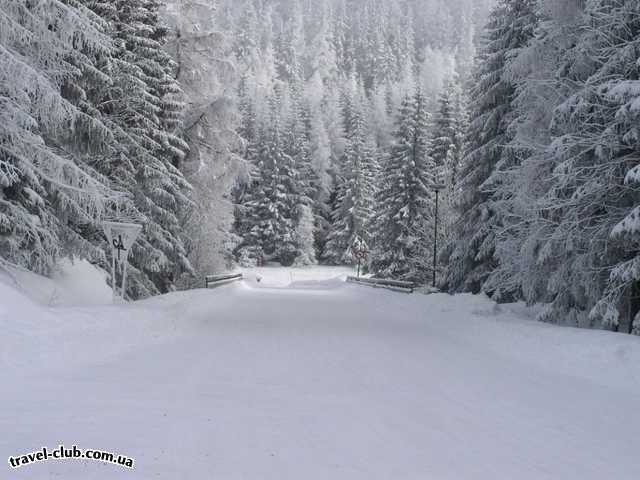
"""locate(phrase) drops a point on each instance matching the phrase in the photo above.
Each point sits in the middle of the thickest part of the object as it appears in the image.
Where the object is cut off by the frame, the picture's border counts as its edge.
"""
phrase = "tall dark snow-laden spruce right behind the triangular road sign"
(144, 101)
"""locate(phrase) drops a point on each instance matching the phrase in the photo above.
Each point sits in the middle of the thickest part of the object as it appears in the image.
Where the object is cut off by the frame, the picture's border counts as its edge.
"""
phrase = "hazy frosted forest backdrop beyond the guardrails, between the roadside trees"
(351, 113)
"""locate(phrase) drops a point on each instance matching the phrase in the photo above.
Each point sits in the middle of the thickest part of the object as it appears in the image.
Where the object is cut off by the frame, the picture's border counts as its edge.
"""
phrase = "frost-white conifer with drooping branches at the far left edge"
(48, 193)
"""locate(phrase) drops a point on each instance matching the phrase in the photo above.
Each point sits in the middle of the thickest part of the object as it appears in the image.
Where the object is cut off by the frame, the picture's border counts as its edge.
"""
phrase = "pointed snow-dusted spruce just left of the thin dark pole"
(403, 203)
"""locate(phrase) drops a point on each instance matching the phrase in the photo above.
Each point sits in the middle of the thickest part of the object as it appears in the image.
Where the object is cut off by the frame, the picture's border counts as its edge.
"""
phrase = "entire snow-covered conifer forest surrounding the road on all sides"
(240, 132)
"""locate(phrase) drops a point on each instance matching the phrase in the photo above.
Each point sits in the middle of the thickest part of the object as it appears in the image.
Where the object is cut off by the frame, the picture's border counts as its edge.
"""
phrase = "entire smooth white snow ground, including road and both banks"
(302, 377)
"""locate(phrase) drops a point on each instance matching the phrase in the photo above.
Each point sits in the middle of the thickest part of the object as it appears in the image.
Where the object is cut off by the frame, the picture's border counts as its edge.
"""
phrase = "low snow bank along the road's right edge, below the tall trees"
(511, 332)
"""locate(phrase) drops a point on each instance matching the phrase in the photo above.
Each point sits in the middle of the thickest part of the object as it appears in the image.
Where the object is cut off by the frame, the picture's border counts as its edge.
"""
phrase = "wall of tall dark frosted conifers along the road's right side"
(548, 197)
